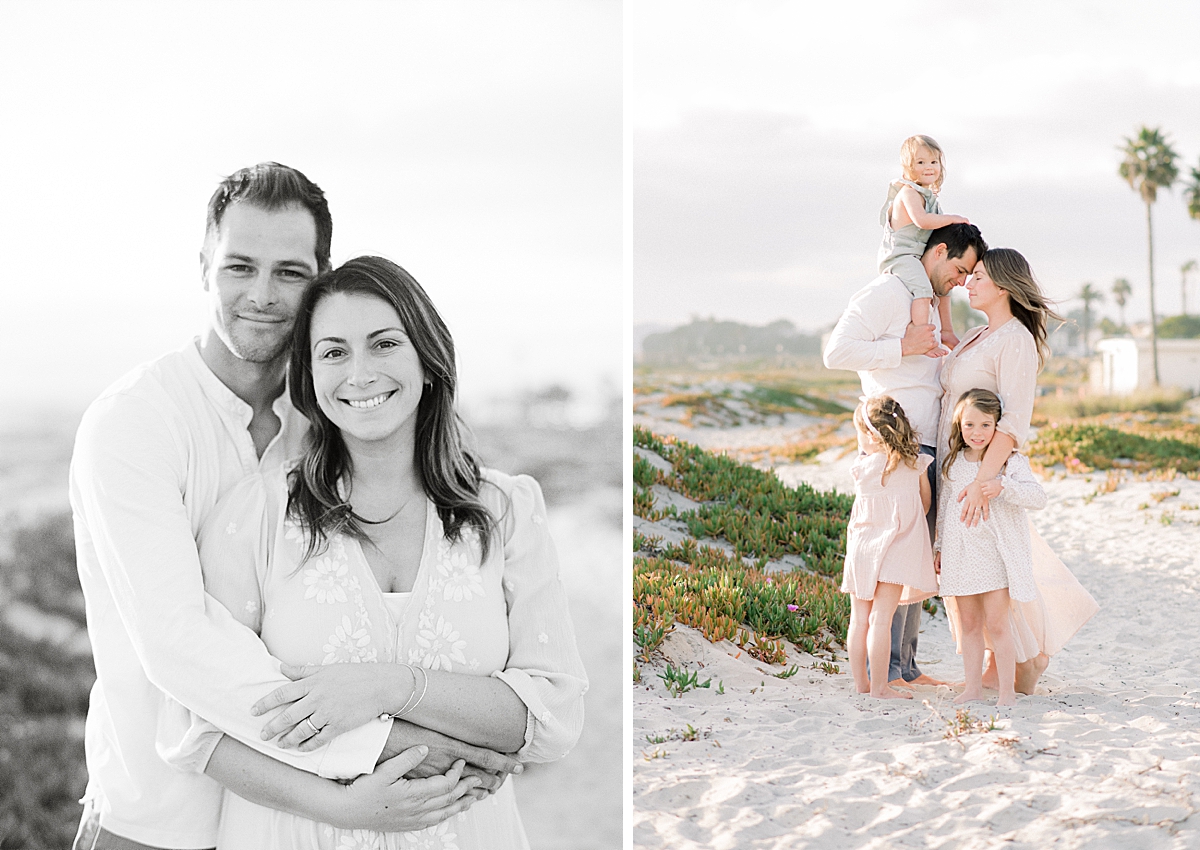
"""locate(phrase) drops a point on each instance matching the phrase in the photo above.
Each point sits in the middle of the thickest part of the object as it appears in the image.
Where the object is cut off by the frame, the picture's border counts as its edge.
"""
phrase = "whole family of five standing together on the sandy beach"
(941, 486)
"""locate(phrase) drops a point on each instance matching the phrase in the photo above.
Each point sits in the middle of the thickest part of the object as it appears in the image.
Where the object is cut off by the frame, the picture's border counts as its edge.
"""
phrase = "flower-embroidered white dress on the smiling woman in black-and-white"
(505, 618)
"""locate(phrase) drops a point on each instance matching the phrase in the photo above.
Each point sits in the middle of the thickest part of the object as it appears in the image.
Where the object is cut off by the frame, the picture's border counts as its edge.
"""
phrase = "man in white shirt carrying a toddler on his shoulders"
(877, 339)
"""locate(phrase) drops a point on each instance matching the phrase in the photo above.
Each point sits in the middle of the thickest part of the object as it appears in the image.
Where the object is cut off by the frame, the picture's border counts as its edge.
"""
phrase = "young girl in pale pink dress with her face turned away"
(889, 558)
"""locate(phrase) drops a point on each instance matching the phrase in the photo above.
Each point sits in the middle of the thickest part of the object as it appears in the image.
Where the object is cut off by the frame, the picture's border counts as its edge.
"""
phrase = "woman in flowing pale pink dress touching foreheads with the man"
(1005, 357)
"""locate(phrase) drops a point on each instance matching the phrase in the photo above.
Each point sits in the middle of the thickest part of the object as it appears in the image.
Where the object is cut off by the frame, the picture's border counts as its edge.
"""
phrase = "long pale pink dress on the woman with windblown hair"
(1007, 364)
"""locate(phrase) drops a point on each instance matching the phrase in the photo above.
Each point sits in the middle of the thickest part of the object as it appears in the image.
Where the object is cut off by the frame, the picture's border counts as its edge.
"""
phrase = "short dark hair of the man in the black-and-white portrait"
(273, 187)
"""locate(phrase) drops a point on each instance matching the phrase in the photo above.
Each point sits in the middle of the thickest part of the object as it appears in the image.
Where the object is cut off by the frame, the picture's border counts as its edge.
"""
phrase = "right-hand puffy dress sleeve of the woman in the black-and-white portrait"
(544, 667)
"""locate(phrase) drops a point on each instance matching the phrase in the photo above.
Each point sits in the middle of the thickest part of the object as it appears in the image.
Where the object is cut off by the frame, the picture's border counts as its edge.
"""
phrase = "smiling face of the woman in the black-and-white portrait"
(367, 375)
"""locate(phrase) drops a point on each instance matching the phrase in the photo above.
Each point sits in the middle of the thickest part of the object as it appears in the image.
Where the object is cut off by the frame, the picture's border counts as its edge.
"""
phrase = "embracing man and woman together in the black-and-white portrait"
(317, 622)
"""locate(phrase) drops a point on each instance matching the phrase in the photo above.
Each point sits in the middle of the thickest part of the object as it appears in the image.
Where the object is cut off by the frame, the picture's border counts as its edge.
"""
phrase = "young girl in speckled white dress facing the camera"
(986, 566)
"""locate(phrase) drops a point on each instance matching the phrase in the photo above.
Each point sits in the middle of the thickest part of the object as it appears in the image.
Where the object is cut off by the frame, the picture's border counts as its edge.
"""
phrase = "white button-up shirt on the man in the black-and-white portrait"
(153, 456)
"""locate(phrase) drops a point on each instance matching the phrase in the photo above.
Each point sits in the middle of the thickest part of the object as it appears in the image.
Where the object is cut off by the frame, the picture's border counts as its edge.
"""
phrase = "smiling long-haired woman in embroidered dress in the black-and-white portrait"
(407, 580)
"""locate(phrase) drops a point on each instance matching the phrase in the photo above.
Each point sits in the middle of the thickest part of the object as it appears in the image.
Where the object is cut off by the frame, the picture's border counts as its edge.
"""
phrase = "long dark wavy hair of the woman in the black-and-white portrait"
(319, 488)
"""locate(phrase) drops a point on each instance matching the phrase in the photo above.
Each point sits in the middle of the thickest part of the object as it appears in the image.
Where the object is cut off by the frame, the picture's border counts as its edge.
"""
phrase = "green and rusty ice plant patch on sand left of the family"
(730, 595)
